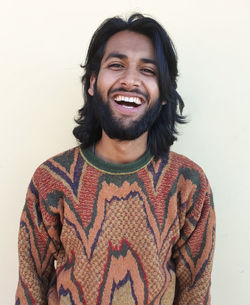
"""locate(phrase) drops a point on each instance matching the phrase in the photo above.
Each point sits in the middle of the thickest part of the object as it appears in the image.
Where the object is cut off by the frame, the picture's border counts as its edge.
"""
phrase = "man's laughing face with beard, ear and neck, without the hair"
(126, 95)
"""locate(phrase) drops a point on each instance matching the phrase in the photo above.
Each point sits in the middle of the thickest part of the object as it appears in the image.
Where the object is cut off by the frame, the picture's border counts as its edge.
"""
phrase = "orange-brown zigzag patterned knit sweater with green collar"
(92, 232)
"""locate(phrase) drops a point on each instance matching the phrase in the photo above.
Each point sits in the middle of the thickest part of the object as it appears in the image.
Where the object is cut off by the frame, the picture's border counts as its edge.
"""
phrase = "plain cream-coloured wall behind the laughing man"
(42, 45)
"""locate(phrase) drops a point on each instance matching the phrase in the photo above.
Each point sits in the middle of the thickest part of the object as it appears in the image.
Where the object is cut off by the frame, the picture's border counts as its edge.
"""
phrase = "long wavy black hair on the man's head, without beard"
(162, 133)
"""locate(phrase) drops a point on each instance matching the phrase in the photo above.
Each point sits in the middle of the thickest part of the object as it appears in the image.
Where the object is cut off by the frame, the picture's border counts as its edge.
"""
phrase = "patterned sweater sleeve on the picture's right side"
(194, 250)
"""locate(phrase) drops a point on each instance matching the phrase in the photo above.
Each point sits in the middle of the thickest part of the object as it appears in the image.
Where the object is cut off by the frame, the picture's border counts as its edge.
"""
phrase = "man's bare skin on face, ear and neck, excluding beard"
(128, 64)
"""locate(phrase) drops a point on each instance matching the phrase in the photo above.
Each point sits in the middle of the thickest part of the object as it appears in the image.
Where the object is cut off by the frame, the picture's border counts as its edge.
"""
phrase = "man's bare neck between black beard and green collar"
(116, 151)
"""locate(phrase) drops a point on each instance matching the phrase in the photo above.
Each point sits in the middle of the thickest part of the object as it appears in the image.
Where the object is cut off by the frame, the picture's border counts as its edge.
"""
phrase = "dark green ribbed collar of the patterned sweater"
(113, 168)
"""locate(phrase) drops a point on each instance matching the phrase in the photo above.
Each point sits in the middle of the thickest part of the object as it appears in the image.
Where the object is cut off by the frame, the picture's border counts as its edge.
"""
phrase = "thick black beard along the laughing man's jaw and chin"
(115, 128)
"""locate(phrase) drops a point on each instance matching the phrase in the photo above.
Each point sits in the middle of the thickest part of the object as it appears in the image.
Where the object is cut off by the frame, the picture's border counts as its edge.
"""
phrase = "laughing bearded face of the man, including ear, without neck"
(127, 83)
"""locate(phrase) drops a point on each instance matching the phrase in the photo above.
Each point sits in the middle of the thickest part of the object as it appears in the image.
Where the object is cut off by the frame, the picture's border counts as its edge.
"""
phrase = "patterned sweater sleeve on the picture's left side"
(37, 247)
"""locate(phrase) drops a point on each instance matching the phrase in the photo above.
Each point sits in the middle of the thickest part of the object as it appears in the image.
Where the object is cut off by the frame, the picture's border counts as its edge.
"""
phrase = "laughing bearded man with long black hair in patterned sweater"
(120, 219)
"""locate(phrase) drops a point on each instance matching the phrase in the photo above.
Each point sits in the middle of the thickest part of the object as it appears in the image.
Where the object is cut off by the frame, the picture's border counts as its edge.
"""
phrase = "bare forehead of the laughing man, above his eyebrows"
(130, 44)
